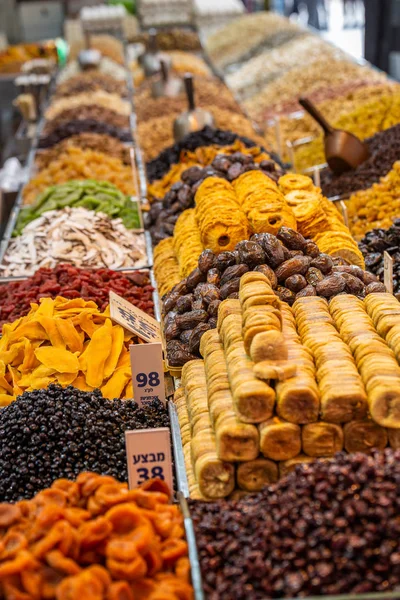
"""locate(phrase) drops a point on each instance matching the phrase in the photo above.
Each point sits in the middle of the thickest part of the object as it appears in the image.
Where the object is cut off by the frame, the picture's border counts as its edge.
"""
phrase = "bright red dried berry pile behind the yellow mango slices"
(71, 282)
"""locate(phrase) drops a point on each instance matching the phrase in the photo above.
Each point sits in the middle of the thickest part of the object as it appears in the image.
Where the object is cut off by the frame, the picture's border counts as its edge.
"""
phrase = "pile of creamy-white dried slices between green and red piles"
(73, 234)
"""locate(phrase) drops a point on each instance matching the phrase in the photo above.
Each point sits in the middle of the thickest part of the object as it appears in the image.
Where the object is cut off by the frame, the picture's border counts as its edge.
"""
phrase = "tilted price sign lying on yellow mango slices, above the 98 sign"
(133, 319)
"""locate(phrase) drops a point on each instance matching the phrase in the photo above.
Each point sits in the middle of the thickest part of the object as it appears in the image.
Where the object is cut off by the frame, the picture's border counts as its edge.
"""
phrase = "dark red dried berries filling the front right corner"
(328, 528)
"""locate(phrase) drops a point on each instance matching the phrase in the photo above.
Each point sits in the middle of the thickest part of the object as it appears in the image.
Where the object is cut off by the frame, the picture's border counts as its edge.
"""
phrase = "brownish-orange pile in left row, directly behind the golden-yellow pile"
(100, 142)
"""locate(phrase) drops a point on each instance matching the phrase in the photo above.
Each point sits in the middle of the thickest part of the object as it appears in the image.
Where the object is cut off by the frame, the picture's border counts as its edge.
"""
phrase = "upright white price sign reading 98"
(147, 372)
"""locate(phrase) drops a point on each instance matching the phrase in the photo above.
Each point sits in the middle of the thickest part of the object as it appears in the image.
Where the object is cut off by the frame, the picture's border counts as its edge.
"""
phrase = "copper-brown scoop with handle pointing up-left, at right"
(343, 150)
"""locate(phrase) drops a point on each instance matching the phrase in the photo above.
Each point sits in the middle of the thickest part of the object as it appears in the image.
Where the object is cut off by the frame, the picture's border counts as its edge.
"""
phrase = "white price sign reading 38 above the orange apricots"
(148, 454)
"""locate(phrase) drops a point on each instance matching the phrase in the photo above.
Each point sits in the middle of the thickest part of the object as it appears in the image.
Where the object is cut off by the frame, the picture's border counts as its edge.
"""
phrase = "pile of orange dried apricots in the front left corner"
(92, 538)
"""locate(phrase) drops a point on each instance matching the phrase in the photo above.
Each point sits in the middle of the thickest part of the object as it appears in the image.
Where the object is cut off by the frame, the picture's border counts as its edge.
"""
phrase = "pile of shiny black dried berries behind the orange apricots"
(60, 432)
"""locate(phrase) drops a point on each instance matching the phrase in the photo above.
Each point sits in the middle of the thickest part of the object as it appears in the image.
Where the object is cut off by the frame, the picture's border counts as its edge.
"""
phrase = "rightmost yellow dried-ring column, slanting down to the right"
(317, 218)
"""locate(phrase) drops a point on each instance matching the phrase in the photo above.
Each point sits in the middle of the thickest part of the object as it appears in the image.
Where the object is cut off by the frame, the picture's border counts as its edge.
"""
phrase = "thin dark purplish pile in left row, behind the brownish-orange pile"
(67, 129)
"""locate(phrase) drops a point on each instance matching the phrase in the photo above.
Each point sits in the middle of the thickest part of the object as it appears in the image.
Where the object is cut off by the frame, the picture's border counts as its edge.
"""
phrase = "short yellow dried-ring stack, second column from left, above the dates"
(187, 242)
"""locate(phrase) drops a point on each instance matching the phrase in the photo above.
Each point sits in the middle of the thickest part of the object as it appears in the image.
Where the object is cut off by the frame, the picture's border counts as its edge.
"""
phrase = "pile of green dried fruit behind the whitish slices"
(99, 196)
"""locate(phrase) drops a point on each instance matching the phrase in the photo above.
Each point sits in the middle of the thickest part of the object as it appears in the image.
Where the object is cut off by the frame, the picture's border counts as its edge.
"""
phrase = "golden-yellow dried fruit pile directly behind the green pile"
(78, 164)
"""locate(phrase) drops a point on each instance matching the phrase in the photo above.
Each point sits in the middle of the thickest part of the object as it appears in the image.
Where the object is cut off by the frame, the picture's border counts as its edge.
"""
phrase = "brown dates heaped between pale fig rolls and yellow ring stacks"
(294, 266)
